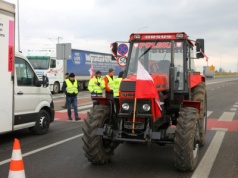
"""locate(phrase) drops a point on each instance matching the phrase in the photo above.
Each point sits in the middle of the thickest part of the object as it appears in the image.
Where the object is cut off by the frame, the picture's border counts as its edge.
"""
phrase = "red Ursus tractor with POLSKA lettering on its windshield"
(169, 60)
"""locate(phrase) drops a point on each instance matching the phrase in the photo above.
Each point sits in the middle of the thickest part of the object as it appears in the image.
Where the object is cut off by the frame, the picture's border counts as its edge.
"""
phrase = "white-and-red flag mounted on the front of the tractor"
(145, 87)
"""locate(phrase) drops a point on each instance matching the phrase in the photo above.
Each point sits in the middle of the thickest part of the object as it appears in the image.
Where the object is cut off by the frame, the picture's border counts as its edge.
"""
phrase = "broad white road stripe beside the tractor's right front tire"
(205, 165)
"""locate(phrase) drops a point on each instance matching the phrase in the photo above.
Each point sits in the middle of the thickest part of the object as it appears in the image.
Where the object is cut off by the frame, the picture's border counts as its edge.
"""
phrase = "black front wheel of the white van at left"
(42, 123)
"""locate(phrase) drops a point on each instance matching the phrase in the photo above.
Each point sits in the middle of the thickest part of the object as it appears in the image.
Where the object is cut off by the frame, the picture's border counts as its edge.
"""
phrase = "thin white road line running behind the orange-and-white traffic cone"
(44, 148)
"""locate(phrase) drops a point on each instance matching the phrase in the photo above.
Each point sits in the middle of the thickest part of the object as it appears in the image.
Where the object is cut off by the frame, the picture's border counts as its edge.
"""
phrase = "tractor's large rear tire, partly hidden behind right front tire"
(199, 94)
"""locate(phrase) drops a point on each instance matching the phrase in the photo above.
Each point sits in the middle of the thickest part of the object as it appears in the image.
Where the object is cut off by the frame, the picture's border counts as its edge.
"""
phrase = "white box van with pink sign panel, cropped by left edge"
(26, 102)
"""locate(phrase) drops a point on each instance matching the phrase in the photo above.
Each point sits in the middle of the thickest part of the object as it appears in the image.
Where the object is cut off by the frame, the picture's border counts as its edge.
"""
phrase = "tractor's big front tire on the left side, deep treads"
(97, 149)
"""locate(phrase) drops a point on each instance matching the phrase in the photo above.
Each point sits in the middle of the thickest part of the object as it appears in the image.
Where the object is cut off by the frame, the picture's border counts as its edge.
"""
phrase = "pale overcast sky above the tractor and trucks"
(94, 24)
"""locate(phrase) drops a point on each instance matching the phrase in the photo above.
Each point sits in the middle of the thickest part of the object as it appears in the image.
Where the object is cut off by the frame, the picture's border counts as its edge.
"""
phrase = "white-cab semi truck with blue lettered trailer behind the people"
(79, 62)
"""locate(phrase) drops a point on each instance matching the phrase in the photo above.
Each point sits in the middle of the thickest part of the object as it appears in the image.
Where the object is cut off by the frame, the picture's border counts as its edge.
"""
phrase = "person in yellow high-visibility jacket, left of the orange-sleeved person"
(95, 86)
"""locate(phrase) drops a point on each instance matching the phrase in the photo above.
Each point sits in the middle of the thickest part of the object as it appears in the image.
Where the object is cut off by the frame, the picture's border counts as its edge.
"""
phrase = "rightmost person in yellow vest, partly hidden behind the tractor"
(117, 83)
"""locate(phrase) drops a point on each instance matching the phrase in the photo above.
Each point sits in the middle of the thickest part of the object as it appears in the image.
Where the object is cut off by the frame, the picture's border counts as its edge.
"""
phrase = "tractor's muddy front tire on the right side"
(186, 139)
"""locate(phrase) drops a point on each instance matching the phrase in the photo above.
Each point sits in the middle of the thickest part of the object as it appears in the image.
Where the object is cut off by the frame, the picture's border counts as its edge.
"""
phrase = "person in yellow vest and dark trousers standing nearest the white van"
(71, 89)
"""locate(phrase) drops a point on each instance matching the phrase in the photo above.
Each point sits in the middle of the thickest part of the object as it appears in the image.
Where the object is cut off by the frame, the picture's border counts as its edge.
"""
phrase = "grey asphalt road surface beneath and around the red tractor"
(59, 153)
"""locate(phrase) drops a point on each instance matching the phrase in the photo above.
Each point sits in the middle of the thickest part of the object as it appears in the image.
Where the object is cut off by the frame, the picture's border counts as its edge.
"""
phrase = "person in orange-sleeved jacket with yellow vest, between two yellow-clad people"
(109, 83)
